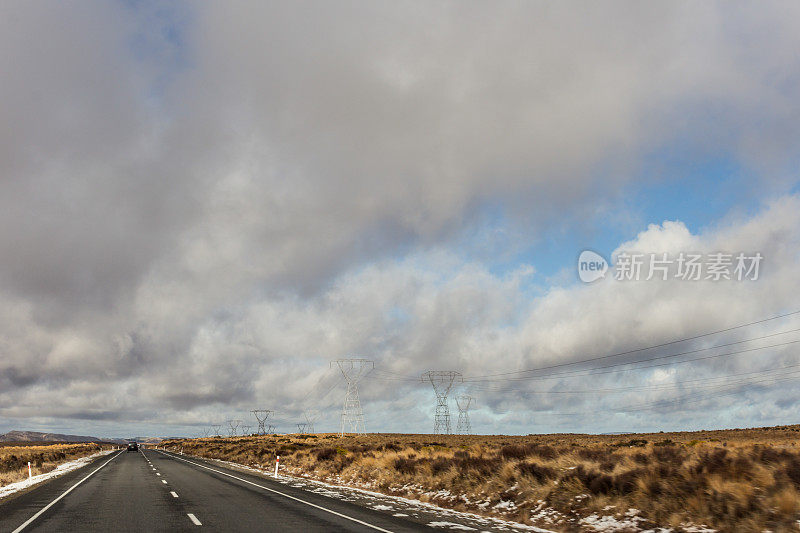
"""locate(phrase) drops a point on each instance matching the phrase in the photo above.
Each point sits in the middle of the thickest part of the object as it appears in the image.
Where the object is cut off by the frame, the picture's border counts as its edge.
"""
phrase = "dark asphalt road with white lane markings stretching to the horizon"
(154, 491)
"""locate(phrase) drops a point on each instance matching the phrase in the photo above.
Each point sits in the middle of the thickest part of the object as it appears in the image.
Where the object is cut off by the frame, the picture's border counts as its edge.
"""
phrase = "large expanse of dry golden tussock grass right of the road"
(732, 480)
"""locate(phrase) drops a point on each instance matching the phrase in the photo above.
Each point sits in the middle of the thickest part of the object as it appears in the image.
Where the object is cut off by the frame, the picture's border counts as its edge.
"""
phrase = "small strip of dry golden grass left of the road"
(44, 458)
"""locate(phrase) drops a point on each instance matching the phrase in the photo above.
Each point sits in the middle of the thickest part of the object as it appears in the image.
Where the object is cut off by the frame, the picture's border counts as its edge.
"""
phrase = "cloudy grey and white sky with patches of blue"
(204, 204)
